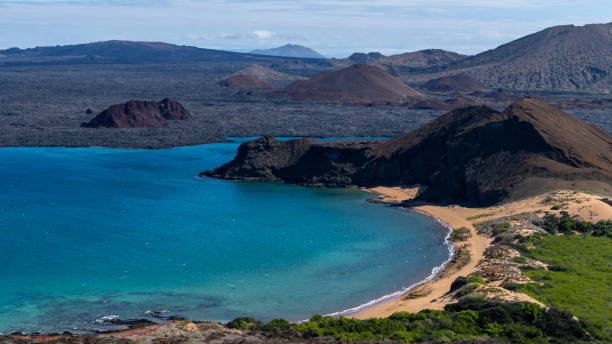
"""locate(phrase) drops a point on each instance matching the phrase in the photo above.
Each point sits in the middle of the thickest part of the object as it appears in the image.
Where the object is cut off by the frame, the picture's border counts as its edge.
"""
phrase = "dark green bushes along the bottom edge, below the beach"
(468, 319)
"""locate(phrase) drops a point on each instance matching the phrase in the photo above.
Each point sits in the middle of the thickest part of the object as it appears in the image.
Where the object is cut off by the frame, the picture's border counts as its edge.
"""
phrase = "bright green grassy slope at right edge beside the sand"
(579, 278)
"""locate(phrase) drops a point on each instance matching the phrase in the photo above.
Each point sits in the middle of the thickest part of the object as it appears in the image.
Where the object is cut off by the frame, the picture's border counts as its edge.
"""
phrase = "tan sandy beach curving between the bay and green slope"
(433, 294)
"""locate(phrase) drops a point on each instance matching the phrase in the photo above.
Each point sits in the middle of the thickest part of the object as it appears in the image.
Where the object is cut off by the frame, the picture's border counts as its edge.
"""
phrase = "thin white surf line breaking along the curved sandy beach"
(435, 271)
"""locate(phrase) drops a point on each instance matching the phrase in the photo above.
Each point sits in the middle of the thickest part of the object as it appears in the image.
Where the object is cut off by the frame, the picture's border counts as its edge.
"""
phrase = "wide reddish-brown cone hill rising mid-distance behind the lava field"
(354, 84)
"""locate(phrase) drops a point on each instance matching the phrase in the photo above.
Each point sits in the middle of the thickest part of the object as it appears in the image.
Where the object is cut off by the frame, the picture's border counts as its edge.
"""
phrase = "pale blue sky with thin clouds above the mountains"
(335, 28)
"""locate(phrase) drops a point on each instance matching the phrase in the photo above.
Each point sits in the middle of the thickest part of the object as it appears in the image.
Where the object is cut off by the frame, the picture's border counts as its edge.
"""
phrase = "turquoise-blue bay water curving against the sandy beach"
(93, 232)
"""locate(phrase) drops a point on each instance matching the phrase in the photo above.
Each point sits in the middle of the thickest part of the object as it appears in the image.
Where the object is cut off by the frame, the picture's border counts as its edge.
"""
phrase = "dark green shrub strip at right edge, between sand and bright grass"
(566, 224)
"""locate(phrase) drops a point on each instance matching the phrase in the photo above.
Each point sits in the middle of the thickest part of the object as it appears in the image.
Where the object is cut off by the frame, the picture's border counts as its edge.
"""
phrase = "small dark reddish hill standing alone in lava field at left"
(135, 114)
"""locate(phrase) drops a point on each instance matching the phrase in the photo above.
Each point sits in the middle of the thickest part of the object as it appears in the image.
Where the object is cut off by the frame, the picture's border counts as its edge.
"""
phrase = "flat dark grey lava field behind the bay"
(45, 105)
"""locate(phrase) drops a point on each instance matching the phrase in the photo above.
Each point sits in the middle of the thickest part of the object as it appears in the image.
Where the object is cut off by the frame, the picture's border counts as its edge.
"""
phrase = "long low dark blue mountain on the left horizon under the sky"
(126, 52)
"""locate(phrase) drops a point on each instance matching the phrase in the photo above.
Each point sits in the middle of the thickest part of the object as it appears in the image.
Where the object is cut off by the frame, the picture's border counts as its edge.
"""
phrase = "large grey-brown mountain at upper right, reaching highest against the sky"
(562, 58)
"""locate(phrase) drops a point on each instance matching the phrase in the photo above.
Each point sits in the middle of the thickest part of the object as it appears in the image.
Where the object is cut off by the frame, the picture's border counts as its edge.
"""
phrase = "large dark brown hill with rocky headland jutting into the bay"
(474, 154)
